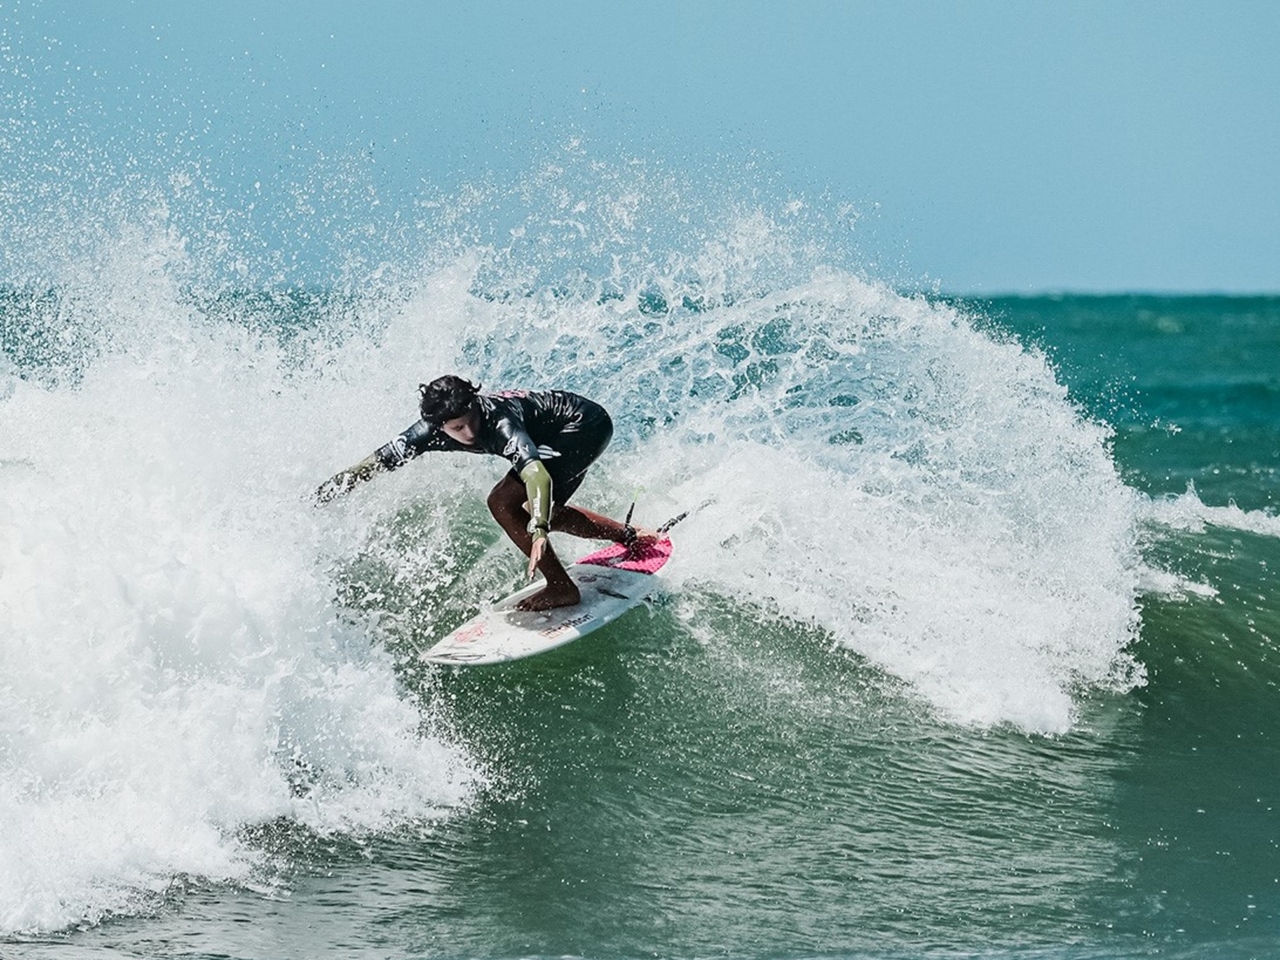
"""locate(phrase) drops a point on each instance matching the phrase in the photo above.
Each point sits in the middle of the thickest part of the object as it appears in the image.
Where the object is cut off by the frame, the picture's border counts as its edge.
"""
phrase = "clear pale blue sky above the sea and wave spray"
(996, 147)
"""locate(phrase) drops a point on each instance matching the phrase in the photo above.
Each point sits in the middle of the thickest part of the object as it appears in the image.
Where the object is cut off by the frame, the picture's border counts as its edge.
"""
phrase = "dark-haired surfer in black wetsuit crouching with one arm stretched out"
(551, 440)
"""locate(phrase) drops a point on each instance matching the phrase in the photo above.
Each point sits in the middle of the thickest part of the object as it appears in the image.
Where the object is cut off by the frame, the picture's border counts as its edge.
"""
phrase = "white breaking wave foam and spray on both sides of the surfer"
(193, 652)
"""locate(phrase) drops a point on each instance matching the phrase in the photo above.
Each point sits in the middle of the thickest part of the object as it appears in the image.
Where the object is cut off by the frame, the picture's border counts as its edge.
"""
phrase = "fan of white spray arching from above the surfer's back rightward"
(872, 465)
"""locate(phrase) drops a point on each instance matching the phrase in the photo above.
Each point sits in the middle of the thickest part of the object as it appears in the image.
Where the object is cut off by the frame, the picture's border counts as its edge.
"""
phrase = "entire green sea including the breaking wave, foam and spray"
(970, 643)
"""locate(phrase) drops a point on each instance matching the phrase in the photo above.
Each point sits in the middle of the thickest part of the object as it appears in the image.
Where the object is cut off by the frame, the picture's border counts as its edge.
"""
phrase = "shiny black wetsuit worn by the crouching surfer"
(561, 429)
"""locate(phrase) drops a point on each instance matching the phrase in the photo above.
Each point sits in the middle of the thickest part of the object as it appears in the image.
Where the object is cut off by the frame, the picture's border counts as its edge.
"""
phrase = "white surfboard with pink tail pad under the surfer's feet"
(612, 582)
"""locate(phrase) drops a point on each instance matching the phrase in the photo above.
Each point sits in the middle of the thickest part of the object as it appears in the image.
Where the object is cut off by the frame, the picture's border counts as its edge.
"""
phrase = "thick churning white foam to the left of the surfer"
(173, 665)
